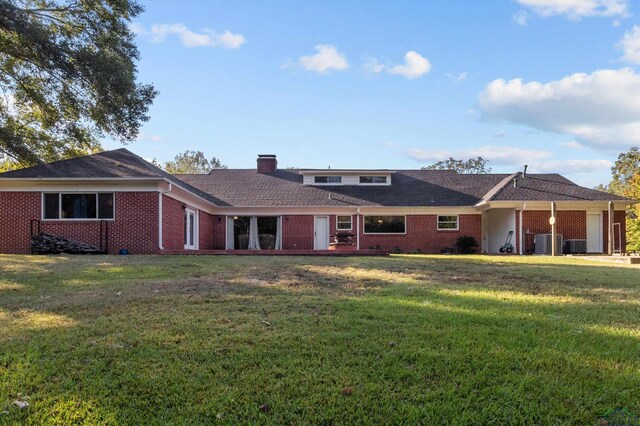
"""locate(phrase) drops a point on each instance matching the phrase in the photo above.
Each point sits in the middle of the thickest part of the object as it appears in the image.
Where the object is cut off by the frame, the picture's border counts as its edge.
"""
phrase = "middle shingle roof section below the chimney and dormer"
(247, 188)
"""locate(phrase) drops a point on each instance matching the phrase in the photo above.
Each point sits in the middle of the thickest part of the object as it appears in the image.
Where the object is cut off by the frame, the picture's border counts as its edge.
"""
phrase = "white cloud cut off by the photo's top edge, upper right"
(577, 9)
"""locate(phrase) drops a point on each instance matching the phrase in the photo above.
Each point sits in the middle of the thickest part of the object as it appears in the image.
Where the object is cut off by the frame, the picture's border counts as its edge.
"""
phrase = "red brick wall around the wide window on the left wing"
(135, 226)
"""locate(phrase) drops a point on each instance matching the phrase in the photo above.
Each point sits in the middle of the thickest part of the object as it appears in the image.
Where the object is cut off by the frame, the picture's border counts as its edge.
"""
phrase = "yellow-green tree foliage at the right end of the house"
(626, 182)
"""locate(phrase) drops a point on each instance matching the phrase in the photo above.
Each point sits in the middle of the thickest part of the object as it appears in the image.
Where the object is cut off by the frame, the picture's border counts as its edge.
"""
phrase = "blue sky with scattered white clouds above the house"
(549, 83)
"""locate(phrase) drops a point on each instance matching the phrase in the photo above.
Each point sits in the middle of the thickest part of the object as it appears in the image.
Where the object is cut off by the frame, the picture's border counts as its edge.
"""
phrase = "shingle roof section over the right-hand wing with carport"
(550, 187)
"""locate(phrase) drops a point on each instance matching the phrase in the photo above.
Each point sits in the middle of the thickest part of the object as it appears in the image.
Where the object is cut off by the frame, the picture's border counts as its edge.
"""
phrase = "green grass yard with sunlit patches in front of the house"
(280, 340)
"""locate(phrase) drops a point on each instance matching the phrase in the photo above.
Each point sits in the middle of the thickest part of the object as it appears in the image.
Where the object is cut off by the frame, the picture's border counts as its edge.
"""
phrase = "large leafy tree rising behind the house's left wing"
(67, 78)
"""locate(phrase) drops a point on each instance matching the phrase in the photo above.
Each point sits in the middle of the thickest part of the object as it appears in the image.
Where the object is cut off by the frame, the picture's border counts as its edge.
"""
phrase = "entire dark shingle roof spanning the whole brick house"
(247, 188)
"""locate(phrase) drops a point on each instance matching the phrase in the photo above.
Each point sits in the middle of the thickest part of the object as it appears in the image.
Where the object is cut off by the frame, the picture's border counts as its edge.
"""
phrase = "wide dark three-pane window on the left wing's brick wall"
(91, 205)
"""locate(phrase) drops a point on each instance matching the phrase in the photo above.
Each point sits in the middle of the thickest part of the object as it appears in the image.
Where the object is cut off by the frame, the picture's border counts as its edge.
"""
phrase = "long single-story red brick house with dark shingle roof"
(116, 200)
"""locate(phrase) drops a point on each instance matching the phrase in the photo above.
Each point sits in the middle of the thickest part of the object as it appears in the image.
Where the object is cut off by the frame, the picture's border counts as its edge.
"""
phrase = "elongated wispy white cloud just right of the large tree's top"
(207, 38)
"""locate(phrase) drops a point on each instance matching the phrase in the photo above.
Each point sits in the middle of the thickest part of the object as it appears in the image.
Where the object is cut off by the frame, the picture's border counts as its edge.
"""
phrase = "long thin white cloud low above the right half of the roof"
(497, 155)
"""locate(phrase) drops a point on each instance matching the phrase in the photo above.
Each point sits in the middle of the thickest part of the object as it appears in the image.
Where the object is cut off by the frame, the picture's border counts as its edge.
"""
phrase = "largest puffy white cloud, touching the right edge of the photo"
(600, 110)
